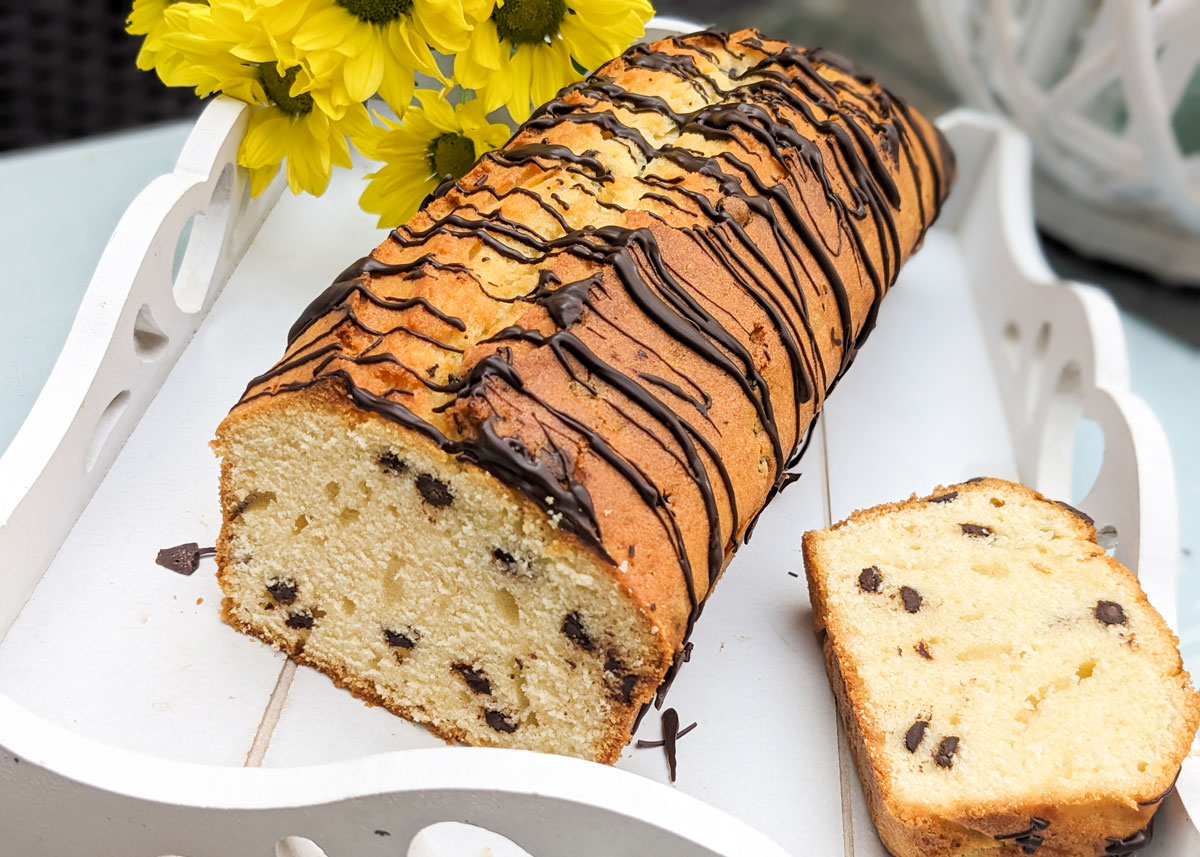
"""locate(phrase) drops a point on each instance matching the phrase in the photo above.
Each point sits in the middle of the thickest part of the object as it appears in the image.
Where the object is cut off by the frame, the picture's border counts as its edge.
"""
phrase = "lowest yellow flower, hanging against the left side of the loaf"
(434, 141)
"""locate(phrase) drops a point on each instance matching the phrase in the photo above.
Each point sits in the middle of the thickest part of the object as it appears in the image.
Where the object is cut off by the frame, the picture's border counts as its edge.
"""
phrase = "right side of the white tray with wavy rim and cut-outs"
(1059, 355)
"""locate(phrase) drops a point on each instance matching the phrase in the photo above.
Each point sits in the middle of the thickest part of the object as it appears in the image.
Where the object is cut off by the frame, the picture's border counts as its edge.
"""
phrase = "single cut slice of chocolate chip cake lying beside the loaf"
(1005, 685)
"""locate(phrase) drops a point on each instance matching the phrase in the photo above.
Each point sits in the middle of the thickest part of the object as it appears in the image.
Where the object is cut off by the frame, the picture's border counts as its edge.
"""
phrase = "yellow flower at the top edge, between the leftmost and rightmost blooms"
(376, 46)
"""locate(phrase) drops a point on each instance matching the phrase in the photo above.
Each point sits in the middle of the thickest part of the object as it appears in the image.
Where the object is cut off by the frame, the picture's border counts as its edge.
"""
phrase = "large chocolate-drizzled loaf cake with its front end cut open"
(505, 459)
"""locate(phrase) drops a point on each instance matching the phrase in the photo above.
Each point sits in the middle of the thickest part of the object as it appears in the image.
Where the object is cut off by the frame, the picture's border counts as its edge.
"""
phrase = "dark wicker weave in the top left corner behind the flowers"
(67, 70)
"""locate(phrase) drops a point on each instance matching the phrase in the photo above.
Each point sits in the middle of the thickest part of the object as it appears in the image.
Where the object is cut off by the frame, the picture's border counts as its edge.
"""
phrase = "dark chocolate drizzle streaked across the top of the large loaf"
(844, 153)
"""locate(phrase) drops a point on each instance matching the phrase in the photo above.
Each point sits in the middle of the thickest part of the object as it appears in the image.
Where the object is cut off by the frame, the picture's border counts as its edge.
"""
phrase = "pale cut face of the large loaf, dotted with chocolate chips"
(407, 579)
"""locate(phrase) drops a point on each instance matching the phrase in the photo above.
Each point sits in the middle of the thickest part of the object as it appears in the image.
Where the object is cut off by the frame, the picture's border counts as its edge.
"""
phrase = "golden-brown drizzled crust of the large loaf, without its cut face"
(823, 185)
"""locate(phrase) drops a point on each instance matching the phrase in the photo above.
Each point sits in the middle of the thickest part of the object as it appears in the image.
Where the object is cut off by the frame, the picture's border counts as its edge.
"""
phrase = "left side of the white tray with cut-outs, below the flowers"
(166, 263)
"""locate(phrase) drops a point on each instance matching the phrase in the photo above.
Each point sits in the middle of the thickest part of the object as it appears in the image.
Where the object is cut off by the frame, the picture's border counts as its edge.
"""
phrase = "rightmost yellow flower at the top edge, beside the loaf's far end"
(525, 51)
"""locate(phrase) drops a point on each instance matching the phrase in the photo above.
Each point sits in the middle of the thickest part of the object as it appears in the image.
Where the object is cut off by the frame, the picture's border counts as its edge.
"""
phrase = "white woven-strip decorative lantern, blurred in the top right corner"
(1109, 92)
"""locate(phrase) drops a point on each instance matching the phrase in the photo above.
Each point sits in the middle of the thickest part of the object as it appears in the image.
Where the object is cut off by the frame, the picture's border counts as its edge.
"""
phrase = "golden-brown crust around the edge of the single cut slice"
(1081, 826)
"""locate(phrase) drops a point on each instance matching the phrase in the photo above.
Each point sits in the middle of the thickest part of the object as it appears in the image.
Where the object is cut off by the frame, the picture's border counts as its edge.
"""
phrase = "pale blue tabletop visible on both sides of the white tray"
(61, 206)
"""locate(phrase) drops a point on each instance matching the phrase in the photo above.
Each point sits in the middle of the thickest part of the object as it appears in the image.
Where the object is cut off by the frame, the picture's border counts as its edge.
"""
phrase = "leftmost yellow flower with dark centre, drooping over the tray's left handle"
(226, 49)
